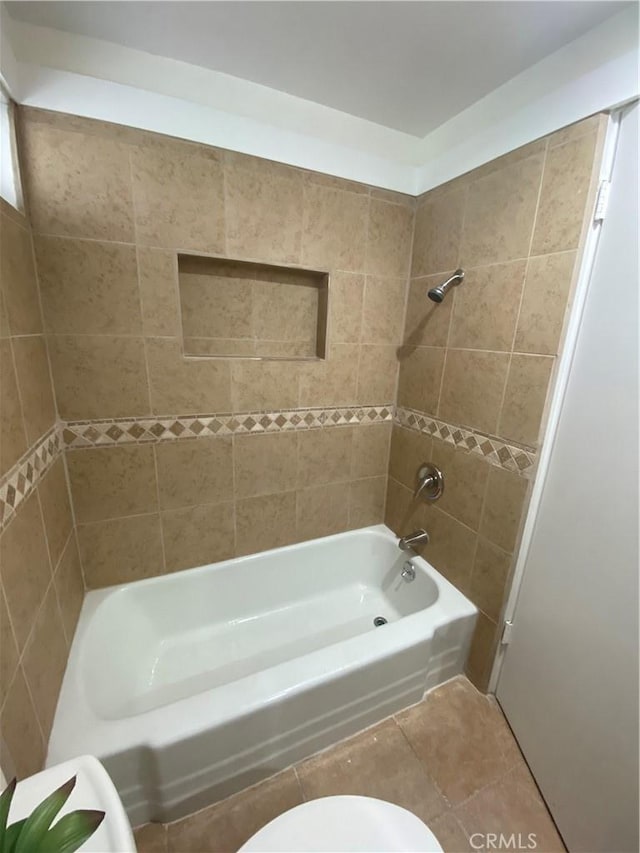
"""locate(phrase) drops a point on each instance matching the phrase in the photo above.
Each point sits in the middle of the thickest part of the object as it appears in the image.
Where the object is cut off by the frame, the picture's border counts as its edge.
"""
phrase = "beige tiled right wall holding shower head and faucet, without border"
(485, 357)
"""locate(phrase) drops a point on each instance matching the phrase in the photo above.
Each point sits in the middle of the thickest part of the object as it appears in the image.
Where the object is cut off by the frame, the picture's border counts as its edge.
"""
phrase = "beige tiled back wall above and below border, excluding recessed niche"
(111, 208)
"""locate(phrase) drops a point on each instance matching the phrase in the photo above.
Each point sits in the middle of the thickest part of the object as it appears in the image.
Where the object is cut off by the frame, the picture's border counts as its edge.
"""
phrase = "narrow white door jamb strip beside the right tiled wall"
(565, 363)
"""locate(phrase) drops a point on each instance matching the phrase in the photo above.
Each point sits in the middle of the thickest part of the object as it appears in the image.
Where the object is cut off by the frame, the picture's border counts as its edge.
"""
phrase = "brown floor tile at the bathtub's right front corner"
(461, 738)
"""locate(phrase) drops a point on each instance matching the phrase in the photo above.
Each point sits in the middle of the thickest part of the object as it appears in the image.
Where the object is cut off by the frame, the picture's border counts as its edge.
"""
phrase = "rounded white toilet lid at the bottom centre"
(344, 824)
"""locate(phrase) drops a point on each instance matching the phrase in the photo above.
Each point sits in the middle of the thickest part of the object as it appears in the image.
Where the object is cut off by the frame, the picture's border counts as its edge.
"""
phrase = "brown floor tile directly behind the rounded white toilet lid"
(377, 763)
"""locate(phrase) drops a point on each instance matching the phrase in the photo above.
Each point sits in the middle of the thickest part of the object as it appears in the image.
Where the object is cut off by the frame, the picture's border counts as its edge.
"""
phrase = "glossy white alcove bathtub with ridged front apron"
(193, 685)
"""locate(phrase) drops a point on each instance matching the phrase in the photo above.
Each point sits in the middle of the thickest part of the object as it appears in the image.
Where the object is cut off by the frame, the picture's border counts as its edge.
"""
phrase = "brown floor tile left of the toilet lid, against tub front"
(227, 825)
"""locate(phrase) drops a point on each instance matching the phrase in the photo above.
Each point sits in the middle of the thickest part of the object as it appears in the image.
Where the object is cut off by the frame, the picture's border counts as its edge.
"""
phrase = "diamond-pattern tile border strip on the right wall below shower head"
(497, 452)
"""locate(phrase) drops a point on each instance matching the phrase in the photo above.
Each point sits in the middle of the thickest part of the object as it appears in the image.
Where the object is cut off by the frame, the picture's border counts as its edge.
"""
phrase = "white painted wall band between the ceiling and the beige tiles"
(97, 79)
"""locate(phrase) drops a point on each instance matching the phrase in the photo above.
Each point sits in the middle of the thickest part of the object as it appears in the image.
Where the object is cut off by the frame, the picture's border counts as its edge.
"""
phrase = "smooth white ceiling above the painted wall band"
(410, 66)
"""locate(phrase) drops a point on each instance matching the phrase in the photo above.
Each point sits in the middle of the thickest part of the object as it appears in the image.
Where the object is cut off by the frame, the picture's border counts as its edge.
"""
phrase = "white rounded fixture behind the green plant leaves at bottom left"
(94, 790)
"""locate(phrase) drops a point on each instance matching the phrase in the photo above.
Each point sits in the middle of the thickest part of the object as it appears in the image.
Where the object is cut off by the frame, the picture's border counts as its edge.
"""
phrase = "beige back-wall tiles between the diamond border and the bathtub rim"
(143, 510)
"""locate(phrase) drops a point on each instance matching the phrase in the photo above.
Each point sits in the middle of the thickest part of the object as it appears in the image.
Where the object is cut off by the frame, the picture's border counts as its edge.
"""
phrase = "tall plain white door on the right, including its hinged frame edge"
(569, 678)
